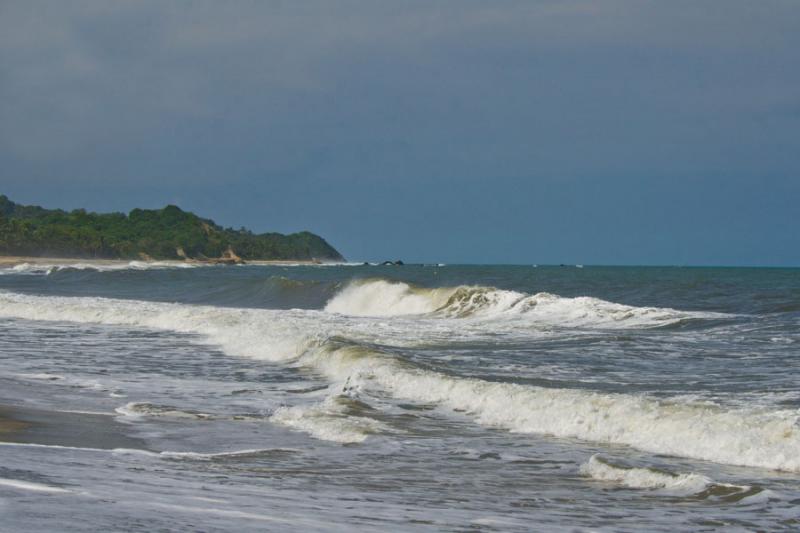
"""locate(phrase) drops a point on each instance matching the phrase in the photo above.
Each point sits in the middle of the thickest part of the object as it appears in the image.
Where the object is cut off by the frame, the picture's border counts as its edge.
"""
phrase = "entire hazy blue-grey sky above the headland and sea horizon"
(591, 132)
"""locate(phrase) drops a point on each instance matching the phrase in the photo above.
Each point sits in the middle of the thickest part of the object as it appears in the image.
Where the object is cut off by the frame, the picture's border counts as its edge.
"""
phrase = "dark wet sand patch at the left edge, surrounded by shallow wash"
(56, 428)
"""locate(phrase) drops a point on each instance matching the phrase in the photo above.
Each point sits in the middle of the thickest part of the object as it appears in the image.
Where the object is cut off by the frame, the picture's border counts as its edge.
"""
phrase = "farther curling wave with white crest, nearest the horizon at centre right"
(378, 297)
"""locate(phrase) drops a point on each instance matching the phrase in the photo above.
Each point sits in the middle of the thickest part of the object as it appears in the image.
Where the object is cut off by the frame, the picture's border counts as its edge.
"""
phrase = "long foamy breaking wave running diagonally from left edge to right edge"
(318, 340)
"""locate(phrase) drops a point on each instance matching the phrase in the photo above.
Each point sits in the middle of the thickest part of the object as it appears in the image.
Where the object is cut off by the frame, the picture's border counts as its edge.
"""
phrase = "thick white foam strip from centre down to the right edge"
(742, 437)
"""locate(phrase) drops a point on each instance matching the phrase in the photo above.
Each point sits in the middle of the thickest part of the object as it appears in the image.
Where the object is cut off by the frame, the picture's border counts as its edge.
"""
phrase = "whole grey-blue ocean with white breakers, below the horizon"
(436, 397)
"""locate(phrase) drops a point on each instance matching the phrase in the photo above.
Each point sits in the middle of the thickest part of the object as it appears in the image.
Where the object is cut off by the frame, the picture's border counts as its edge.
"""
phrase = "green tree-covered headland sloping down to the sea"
(154, 233)
